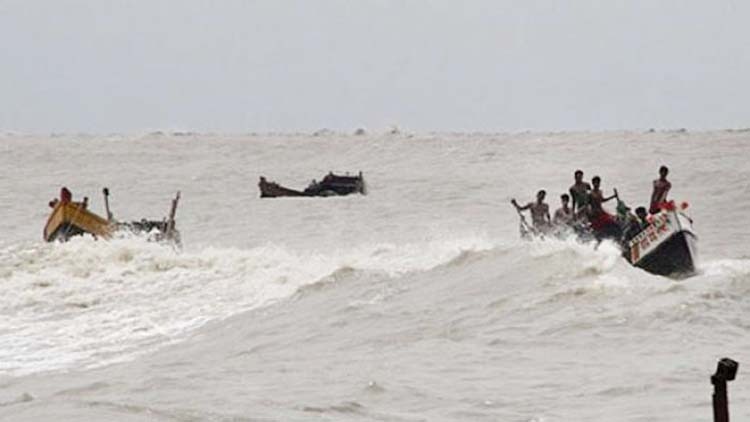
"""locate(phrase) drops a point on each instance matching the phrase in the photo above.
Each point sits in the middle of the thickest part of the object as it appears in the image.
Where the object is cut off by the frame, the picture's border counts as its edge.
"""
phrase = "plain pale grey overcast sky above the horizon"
(278, 65)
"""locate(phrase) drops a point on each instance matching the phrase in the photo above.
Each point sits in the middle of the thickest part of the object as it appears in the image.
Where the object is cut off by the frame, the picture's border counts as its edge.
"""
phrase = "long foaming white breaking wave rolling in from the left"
(92, 303)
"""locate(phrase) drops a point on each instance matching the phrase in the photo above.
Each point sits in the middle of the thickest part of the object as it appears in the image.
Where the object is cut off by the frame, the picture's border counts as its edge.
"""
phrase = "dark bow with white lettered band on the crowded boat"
(666, 247)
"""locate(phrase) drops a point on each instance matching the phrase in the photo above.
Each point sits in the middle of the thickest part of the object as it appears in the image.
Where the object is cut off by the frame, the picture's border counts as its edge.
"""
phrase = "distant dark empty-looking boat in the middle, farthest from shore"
(330, 185)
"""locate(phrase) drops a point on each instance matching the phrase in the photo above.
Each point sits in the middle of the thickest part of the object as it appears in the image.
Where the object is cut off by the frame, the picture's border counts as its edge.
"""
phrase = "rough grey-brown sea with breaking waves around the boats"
(415, 302)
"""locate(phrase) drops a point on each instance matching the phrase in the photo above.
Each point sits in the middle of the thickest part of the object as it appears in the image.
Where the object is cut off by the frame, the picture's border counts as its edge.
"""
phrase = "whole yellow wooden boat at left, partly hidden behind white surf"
(70, 218)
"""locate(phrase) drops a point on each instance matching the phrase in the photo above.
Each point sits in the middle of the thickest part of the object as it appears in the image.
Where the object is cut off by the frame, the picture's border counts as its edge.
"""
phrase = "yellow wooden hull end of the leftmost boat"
(71, 219)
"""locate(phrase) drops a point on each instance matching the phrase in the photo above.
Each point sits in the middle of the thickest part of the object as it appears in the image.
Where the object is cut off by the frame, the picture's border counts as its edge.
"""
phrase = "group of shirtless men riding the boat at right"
(584, 215)
